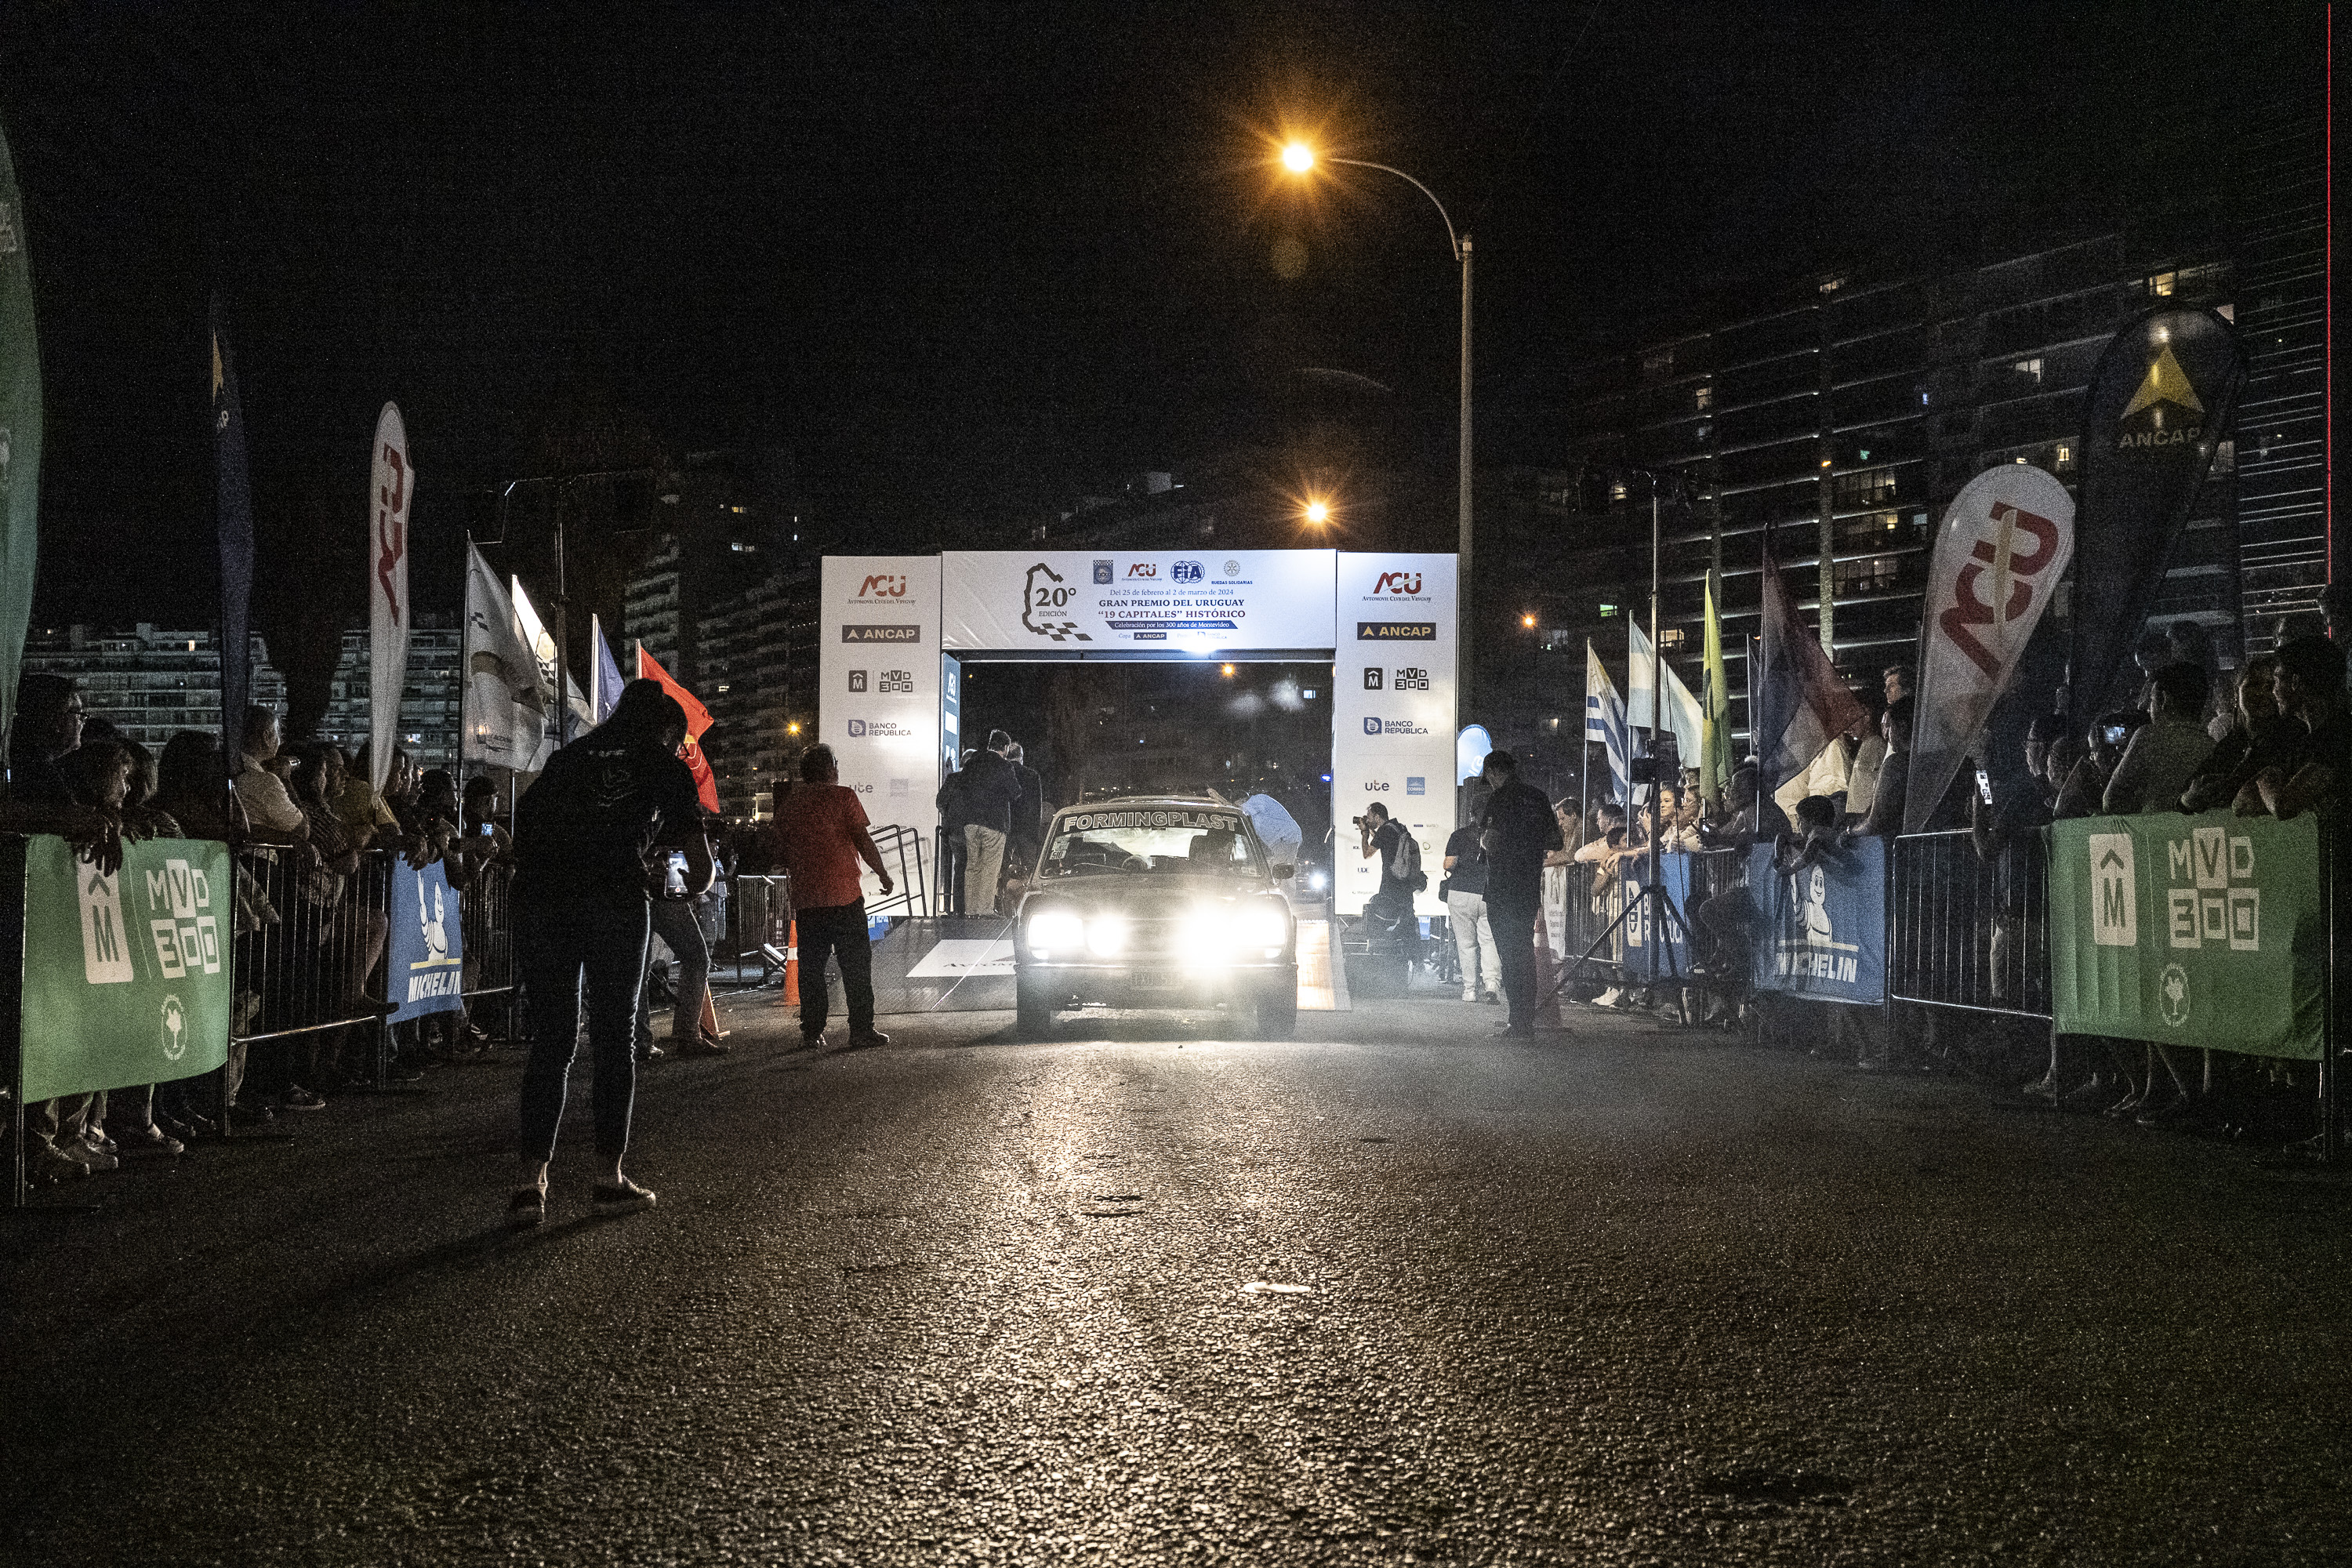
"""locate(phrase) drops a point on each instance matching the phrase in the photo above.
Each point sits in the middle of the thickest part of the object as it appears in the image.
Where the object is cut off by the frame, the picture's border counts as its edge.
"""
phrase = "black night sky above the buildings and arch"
(965, 262)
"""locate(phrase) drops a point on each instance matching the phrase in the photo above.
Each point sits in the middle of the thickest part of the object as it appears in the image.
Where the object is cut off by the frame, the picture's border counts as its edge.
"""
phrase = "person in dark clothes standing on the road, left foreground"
(582, 916)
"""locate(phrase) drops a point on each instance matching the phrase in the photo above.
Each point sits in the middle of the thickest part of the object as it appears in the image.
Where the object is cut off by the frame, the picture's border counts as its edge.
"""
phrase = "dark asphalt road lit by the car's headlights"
(1391, 1292)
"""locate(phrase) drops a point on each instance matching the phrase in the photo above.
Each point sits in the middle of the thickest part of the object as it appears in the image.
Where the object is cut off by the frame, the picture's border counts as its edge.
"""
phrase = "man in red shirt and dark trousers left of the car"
(822, 831)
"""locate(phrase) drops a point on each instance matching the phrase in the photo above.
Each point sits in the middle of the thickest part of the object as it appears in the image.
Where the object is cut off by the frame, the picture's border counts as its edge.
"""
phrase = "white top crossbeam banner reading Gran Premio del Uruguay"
(1125, 603)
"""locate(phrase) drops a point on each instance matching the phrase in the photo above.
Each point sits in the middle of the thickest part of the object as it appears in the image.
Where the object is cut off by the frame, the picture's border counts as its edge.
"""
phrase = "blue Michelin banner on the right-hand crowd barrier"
(1824, 930)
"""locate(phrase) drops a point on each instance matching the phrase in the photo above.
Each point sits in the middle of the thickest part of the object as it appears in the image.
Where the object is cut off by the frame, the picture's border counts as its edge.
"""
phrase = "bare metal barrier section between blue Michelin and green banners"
(1965, 932)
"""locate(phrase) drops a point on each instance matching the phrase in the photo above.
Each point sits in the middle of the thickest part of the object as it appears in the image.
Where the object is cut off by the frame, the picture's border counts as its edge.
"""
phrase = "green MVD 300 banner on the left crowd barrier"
(126, 979)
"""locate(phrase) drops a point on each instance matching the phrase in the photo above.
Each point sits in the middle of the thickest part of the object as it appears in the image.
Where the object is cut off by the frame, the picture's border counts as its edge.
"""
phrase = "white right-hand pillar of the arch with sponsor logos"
(1394, 716)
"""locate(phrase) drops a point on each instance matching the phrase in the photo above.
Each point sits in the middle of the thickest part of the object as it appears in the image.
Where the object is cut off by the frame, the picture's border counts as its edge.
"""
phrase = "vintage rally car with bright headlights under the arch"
(1156, 902)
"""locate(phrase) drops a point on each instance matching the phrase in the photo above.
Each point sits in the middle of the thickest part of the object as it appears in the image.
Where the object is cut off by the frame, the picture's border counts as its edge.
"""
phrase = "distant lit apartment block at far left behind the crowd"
(149, 683)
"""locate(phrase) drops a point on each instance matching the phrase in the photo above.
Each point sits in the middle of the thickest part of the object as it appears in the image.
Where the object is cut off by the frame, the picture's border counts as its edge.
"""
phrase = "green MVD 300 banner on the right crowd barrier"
(2191, 932)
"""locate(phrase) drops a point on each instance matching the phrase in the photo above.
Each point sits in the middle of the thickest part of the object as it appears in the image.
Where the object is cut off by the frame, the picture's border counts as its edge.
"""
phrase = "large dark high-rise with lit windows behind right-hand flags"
(1838, 415)
